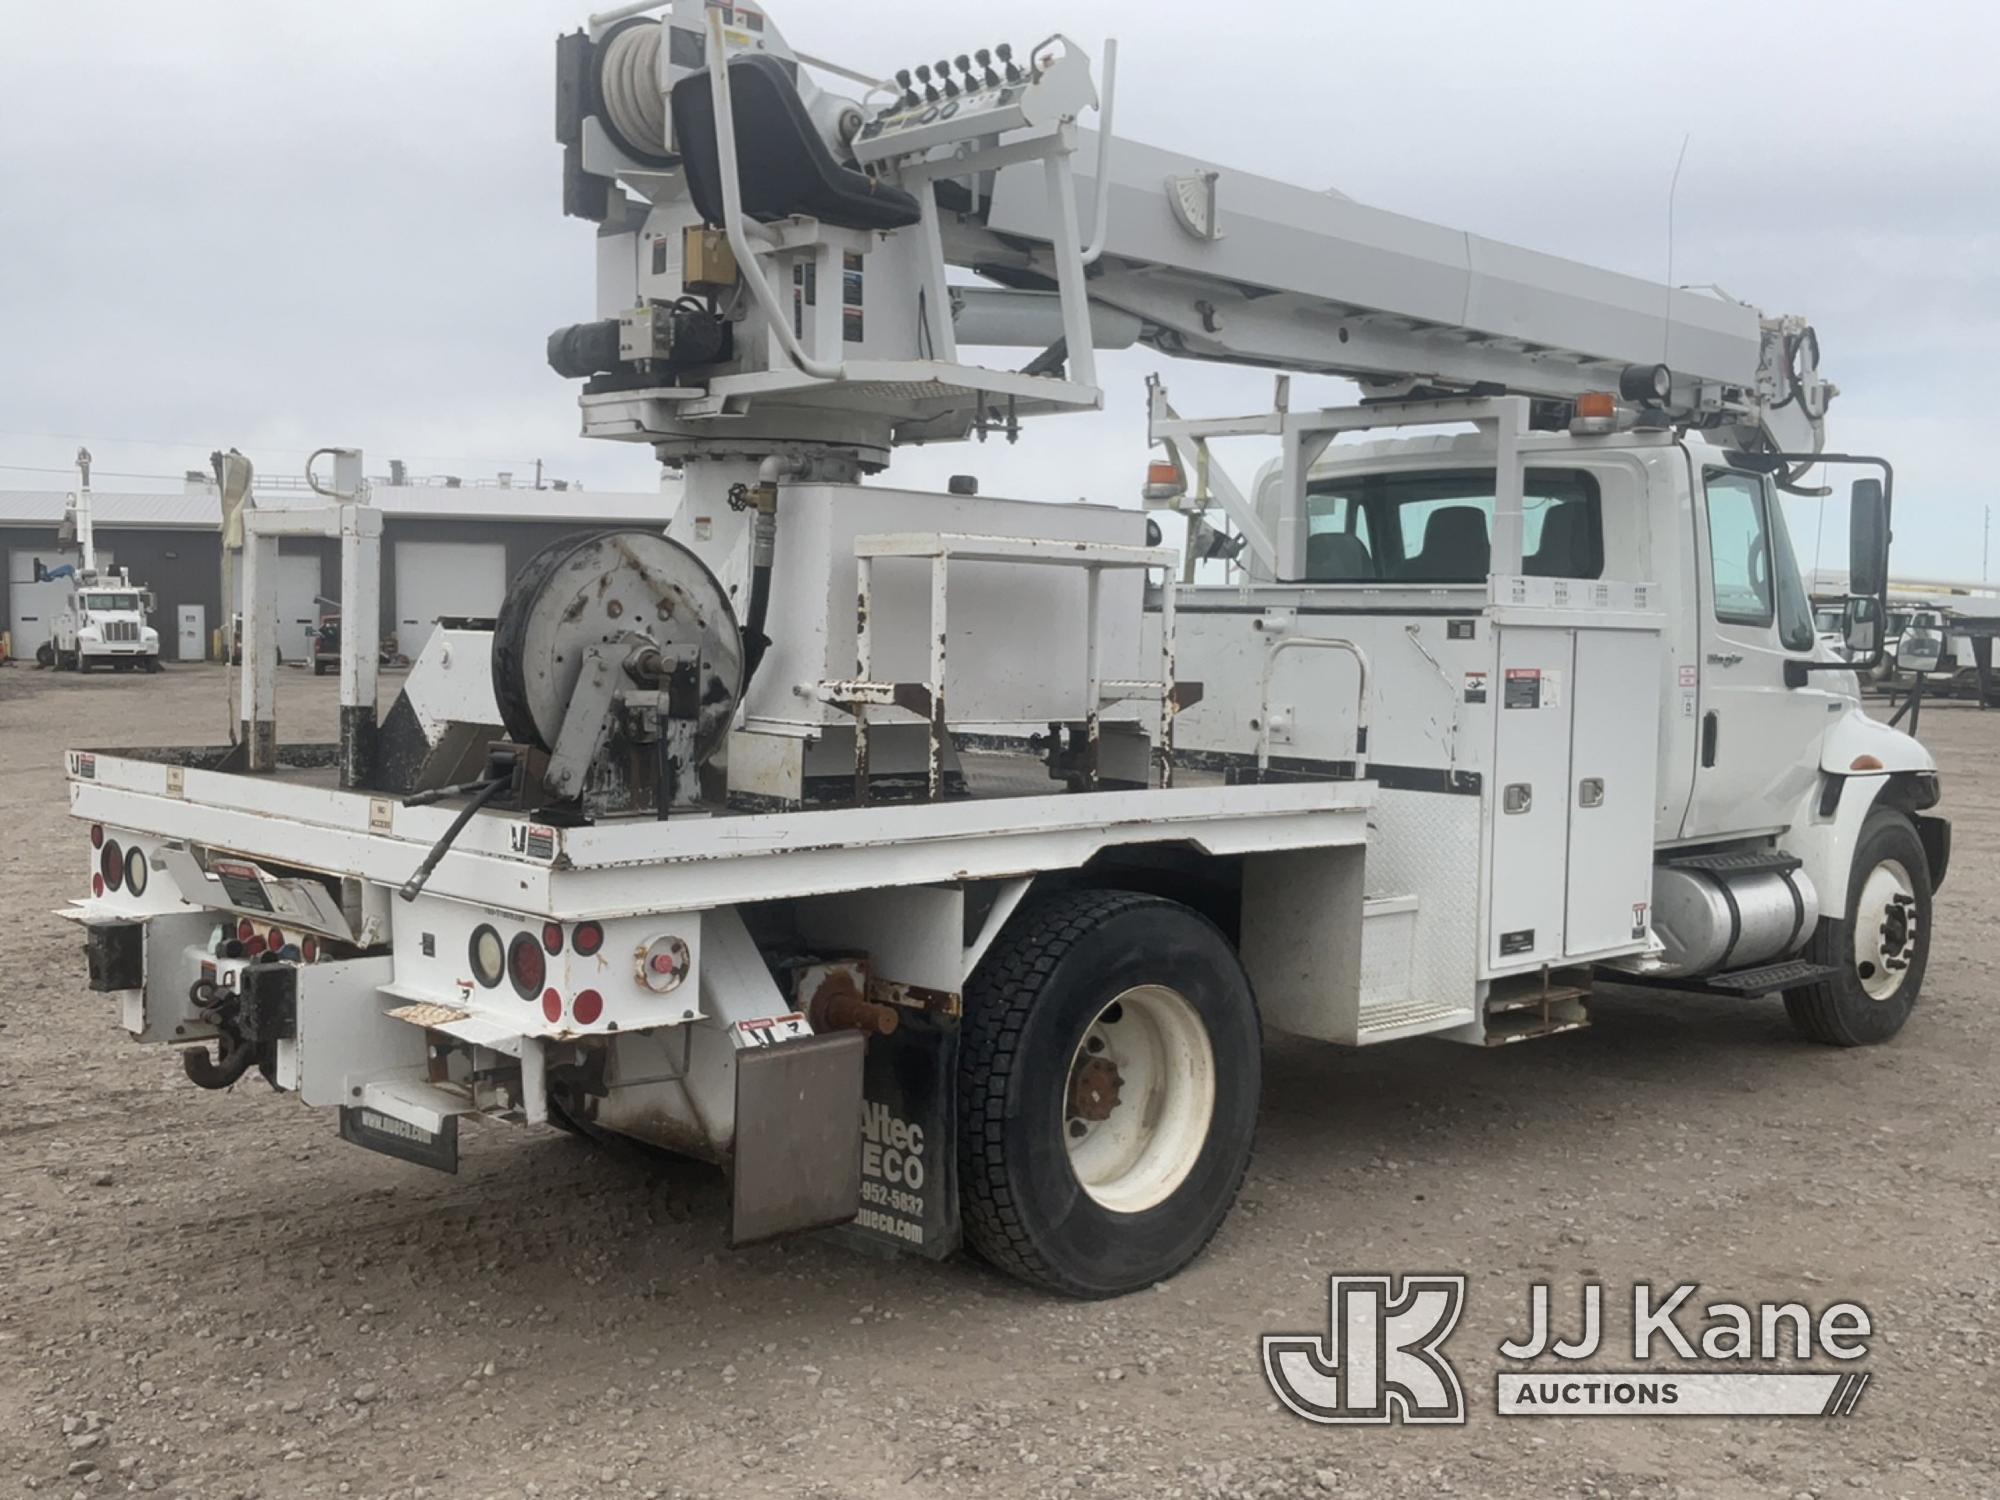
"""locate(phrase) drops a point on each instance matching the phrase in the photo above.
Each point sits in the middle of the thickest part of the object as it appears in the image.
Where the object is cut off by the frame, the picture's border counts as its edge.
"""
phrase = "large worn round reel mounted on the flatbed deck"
(621, 657)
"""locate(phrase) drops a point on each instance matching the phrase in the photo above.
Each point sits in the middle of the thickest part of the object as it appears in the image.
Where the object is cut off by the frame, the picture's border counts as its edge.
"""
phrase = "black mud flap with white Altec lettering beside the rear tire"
(911, 1141)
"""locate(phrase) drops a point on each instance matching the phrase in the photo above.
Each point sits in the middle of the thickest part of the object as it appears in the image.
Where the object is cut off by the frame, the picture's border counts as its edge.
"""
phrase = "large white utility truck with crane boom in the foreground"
(937, 863)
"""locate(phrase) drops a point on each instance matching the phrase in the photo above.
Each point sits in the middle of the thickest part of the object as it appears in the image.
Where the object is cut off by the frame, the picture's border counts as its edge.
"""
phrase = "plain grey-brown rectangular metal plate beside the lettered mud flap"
(799, 1137)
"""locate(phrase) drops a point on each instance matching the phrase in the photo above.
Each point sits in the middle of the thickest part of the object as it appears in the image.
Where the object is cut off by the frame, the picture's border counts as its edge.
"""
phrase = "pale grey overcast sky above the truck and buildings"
(287, 225)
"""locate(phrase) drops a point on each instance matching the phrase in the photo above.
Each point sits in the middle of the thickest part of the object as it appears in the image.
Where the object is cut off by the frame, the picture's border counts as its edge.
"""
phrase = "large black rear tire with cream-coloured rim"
(1109, 1083)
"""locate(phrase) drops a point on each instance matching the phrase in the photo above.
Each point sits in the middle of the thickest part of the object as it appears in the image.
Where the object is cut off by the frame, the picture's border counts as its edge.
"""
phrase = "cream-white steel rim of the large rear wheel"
(1163, 1099)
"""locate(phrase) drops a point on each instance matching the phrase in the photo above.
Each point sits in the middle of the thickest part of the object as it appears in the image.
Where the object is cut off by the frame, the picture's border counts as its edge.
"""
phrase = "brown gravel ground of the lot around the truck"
(209, 1295)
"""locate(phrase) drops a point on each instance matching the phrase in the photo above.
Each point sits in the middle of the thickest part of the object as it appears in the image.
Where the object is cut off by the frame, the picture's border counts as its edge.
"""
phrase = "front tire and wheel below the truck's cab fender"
(1879, 949)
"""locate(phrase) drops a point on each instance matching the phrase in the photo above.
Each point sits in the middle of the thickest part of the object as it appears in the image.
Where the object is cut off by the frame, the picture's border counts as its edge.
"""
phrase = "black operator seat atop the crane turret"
(781, 157)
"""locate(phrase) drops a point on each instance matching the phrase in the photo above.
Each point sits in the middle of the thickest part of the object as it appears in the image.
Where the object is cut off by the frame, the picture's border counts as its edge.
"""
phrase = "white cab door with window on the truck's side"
(1757, 739)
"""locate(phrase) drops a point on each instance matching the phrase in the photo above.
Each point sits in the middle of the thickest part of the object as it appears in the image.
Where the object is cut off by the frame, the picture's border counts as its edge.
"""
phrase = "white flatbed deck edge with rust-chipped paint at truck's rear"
(301, 817)
